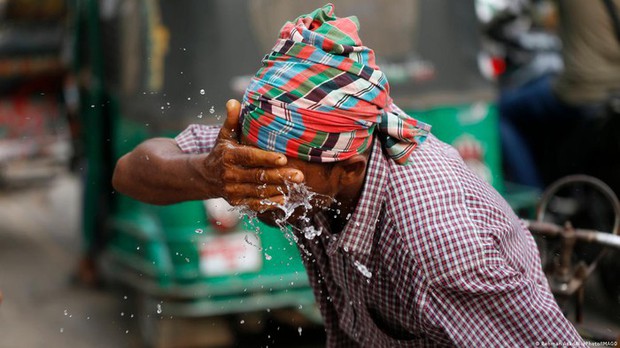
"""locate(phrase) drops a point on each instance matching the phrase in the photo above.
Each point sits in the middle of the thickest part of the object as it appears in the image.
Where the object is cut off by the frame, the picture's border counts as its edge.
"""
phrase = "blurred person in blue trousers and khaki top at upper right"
(577, 94)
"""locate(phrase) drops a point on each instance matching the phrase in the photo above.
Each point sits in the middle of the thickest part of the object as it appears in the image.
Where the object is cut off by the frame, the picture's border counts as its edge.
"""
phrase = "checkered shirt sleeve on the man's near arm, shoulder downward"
(484, 284)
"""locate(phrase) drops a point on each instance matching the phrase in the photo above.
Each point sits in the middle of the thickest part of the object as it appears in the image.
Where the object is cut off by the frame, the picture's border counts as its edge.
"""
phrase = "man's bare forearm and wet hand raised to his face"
(158, 172)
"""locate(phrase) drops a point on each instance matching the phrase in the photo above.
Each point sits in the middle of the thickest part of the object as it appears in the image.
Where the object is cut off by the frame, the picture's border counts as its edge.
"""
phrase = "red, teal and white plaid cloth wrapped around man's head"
(320, 96)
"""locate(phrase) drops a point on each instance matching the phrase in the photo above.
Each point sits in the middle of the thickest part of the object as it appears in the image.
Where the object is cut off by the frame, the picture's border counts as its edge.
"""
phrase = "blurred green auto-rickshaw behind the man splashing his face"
(149, 68)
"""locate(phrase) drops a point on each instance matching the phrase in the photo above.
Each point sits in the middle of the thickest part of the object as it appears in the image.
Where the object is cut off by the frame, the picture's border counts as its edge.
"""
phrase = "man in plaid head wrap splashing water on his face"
(408, 247)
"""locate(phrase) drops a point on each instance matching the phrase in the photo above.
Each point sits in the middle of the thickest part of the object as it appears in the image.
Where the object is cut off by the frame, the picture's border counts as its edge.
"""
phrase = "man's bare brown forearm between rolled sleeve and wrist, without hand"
(158, 172)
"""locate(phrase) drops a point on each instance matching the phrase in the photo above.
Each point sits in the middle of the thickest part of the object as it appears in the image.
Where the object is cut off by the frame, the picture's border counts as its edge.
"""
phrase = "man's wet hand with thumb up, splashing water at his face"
(245, 175)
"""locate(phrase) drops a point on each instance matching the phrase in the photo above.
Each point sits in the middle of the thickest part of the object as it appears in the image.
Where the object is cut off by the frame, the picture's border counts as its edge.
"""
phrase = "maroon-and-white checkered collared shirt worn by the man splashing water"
(432, 256)
